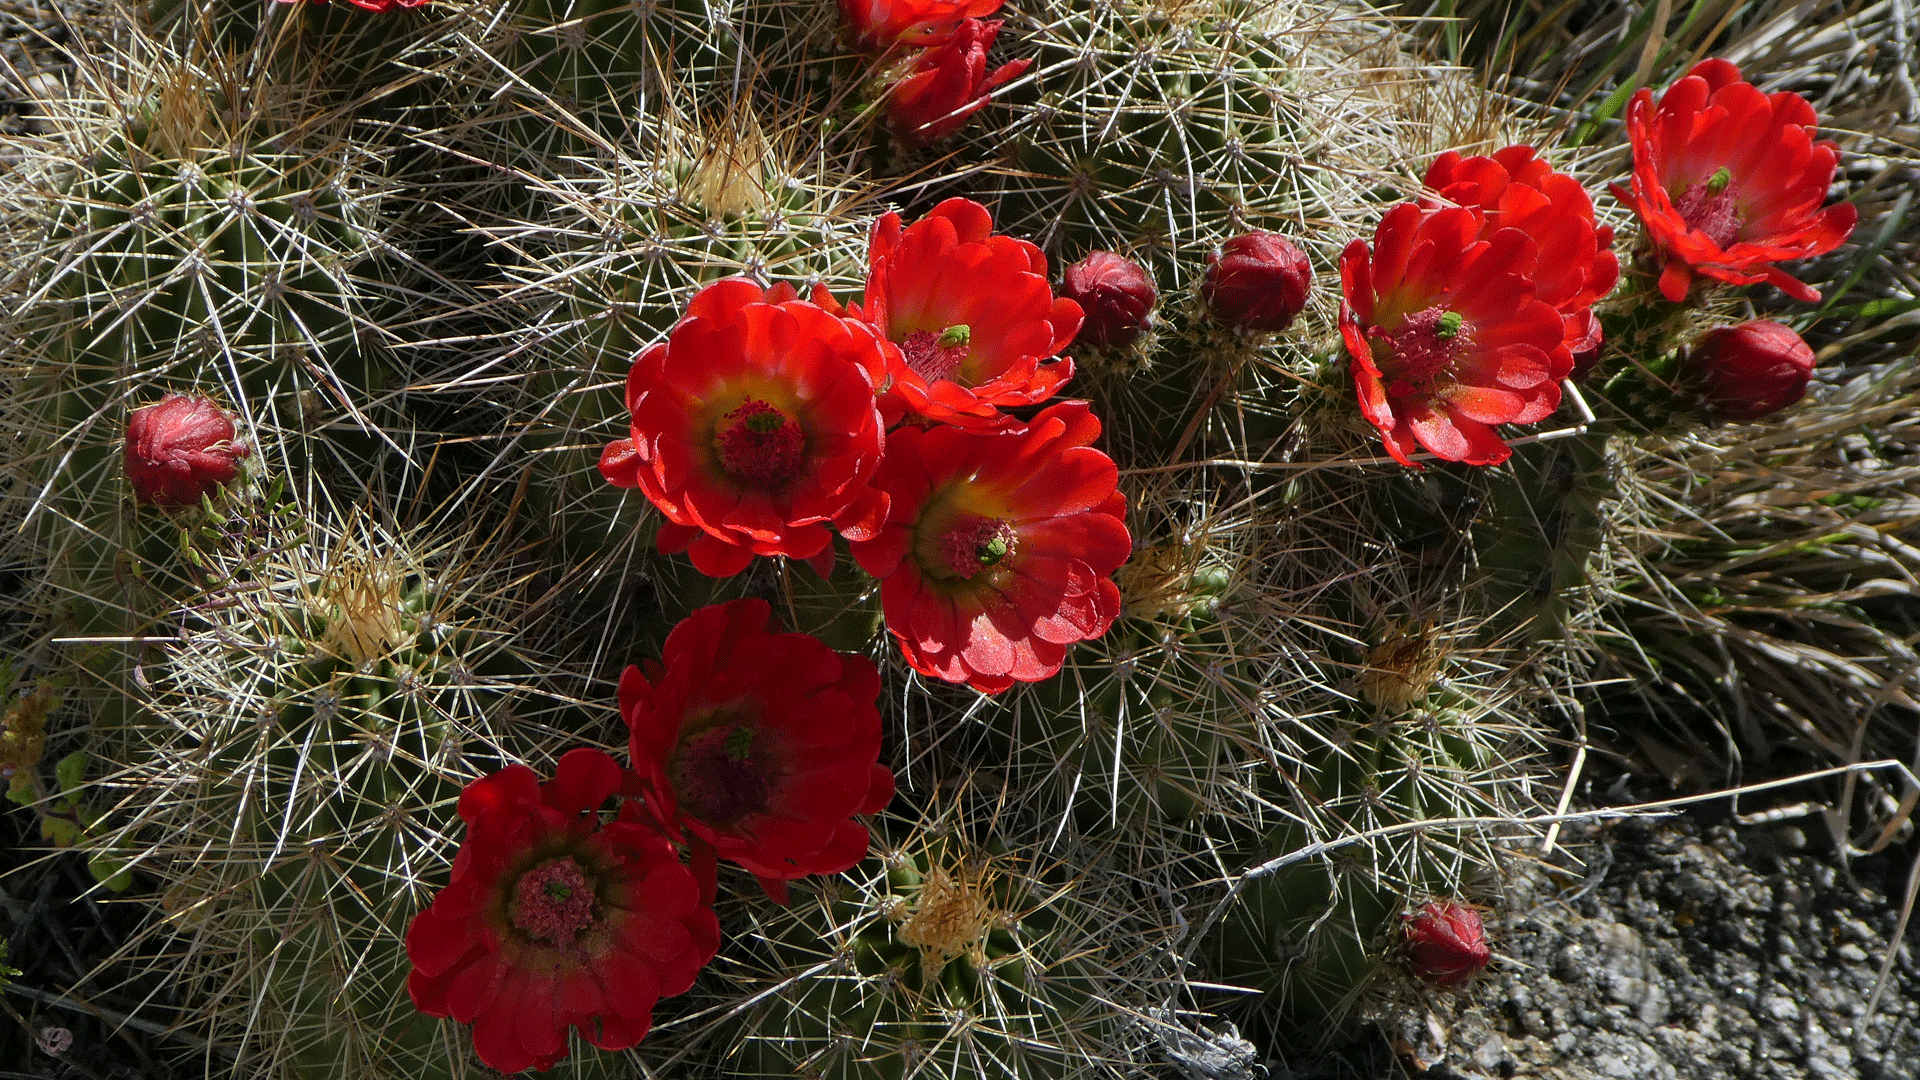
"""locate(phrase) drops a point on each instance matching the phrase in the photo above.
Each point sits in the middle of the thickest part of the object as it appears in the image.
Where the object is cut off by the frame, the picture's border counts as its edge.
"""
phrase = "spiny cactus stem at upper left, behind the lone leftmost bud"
(176, 260)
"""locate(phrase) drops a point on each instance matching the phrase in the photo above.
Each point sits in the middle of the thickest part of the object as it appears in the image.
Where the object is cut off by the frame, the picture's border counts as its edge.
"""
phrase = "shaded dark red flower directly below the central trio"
(761, 745)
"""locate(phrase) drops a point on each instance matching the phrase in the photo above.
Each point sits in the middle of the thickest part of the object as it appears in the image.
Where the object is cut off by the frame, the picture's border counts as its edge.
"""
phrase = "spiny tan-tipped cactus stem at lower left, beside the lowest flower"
(312, 729)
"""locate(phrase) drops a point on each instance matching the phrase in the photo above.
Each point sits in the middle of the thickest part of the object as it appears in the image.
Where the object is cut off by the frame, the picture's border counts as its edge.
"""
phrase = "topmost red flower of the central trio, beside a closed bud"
(972, 314)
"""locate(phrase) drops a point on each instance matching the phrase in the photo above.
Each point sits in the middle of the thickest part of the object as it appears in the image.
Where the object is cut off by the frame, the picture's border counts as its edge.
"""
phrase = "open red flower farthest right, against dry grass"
(1729, 182)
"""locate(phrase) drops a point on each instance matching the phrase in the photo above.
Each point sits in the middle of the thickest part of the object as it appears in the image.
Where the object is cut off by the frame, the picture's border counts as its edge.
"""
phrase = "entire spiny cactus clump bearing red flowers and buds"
(444, 545)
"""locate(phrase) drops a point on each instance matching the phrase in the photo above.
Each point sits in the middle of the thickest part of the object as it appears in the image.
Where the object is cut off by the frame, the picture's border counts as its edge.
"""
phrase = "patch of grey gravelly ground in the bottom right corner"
(1689, 952)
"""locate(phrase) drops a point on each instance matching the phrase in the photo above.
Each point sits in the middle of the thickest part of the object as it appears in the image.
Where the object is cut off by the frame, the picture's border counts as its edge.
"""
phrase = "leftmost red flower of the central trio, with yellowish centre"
(756, 428)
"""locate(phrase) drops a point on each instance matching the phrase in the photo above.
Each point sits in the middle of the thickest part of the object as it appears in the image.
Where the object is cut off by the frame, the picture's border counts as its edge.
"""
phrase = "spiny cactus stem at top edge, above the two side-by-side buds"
(1155, 132)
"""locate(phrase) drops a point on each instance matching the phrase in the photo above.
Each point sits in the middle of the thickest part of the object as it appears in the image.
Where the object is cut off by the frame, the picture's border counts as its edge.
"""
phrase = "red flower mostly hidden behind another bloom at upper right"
(1516, 189)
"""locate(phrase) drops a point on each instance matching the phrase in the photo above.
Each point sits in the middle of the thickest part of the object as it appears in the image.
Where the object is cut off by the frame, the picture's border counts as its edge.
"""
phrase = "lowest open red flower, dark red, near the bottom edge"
(556, 920)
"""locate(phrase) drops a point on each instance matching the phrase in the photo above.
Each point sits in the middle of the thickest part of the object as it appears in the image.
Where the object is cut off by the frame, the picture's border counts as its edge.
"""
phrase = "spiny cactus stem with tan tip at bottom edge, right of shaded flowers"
(946, 964)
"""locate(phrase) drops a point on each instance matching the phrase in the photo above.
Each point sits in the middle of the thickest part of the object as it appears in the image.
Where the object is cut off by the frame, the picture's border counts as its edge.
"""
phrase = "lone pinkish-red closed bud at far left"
(180, 451)
